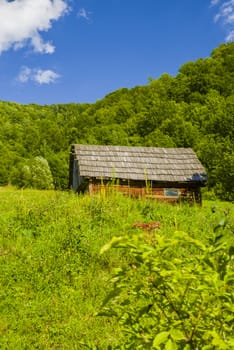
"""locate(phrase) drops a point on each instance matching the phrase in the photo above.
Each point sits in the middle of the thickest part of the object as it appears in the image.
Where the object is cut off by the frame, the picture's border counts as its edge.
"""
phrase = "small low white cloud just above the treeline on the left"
(37, 75)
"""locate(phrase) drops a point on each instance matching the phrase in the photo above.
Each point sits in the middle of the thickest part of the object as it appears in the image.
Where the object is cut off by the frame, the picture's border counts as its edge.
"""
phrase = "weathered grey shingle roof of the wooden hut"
(139, 163)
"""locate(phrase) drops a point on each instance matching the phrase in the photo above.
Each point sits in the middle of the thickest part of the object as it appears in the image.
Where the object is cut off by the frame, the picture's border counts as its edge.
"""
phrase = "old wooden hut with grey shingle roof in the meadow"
(164, 173)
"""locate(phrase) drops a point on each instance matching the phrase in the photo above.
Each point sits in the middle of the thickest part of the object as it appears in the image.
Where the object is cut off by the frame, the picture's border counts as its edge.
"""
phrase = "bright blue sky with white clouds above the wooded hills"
(65, 51)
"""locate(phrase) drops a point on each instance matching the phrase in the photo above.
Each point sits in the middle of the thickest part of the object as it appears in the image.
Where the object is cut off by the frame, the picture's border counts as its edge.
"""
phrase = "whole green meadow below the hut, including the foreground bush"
(54, 279)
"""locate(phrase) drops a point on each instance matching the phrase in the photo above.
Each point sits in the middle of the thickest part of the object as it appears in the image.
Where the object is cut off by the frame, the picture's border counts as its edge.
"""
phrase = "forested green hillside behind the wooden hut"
(193, 109)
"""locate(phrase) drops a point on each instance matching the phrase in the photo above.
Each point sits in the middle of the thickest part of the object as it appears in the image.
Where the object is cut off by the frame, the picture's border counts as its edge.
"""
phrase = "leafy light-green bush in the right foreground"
(176, 293)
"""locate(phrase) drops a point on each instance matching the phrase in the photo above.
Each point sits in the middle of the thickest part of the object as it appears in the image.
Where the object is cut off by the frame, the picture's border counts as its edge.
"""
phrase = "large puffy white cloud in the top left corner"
(22, 22)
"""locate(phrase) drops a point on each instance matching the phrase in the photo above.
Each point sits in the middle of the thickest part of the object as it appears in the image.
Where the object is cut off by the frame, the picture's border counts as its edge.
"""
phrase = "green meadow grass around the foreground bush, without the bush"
(53, 278)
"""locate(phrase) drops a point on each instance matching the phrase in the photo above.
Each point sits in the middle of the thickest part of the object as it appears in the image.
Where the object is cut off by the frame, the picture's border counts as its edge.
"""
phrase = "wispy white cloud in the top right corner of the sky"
(225, 14)
